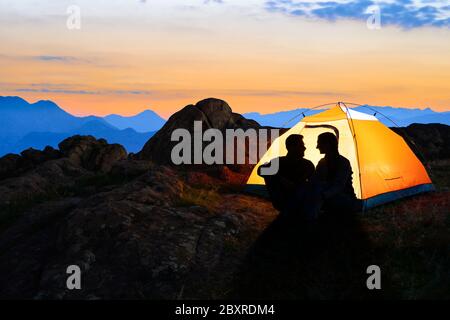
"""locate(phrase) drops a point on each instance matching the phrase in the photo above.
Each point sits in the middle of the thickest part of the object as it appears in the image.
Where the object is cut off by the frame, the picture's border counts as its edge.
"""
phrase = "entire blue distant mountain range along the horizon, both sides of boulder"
(24, 125)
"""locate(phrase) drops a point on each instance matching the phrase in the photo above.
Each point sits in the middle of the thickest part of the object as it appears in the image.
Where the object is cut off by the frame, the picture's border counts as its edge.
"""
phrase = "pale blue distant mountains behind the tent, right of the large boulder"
(390, 116)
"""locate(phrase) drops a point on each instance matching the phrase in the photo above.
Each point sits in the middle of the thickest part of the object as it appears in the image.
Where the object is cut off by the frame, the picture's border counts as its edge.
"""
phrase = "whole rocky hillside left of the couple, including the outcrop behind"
(136, 230)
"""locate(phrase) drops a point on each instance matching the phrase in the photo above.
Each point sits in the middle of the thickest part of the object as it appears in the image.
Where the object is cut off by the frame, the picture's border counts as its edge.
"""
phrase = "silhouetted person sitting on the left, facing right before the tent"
(294, 172)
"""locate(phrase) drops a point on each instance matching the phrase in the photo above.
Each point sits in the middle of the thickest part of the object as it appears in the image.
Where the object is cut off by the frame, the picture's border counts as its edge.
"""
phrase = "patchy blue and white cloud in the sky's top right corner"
(405, 13)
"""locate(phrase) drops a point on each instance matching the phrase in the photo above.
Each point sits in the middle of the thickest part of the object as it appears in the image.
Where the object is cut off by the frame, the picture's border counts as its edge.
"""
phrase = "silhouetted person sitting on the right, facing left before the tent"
(334, 177)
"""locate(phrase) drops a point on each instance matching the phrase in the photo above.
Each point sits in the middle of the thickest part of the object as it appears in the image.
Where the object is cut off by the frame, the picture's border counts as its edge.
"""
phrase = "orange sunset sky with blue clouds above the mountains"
(264, 56)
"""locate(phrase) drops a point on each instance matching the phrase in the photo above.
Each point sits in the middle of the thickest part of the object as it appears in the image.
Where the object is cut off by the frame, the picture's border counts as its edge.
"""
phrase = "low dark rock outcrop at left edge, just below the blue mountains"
(36, 173)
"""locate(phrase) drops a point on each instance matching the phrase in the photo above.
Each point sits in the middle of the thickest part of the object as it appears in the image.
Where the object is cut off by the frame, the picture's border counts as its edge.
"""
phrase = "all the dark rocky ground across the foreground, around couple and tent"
(140, 229)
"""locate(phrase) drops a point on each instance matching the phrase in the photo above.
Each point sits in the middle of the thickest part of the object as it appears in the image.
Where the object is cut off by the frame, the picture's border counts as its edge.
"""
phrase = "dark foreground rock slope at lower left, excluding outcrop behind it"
(154, 237)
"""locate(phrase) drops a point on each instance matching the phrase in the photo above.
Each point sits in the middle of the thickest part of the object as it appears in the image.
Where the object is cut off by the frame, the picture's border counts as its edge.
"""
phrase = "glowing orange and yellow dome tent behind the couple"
(384, 167)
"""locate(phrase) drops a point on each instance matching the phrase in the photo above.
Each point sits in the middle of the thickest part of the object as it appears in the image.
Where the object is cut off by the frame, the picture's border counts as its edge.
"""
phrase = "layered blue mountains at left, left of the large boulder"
(24, 125)
